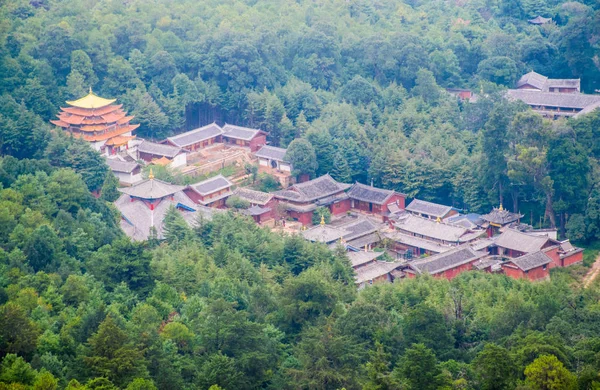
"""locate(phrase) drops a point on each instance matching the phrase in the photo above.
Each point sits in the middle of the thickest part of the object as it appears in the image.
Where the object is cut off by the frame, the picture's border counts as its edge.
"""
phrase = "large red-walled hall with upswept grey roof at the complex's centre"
(301, 199)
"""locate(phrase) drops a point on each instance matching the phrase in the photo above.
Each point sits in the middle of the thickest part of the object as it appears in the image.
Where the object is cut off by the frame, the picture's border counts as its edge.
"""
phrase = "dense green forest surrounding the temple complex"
(229, 305)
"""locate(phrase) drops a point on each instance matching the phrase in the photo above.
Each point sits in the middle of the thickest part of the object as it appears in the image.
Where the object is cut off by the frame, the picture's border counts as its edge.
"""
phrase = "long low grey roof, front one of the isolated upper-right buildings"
(553, 99)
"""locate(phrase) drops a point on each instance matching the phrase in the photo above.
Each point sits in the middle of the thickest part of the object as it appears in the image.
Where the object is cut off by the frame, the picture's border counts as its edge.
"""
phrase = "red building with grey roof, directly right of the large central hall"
(374, 200)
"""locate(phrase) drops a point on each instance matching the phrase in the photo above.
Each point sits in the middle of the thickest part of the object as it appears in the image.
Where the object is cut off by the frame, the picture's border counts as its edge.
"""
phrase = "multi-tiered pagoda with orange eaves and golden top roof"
(99, 121)
